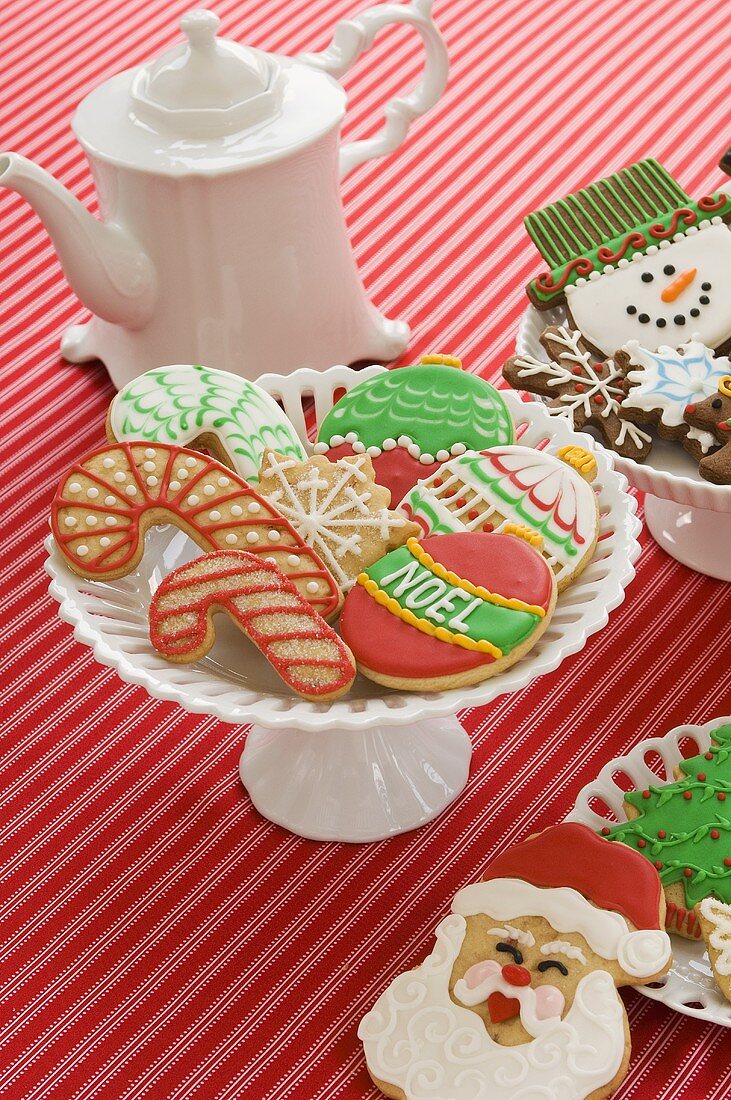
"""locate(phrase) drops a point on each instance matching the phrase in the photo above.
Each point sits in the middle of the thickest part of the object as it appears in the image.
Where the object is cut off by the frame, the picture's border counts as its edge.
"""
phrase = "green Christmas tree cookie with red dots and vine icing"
(684, 831)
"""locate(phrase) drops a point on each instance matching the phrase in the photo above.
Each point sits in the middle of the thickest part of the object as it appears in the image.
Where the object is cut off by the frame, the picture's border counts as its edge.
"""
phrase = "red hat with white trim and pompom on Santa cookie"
(579, 883)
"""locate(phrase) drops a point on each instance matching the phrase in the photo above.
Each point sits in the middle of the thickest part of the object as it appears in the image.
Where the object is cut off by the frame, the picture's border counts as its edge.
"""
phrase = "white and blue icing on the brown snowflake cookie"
(669, 380)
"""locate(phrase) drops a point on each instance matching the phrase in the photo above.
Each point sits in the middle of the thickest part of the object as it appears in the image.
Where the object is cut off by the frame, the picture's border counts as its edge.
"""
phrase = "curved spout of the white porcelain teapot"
(105, 267)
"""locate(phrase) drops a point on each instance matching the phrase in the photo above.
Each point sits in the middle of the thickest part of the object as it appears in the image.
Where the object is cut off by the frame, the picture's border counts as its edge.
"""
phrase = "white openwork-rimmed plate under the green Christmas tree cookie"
(690, 986)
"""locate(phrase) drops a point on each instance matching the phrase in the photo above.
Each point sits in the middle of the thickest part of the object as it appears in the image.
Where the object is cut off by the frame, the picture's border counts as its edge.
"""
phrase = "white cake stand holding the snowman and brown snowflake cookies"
(690, 518)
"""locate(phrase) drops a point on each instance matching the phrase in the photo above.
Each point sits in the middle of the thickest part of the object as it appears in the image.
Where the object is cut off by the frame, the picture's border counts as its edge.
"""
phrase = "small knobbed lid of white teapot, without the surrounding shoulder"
(207, 87)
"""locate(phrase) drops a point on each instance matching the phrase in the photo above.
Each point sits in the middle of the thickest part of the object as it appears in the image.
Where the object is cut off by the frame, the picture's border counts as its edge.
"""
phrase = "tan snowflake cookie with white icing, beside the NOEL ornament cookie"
(331, 515)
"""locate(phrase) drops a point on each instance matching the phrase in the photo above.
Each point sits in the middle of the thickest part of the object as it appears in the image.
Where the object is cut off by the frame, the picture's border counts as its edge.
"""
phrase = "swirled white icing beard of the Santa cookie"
(419, 1040)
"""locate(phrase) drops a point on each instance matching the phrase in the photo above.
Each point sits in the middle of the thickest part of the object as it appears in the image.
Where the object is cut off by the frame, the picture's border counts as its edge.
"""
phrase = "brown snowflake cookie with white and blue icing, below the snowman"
(663, 383)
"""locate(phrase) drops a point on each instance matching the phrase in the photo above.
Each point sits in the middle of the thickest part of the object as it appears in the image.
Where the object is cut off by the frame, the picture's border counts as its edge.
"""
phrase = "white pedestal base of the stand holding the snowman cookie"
(696, 537)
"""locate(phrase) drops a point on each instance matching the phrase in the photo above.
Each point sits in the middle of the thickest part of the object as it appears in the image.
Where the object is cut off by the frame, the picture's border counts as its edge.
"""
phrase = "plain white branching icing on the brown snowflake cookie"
(562, 372)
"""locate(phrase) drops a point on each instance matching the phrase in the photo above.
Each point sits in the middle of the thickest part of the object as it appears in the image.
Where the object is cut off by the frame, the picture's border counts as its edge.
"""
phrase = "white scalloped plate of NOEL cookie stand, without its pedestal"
(235, 684)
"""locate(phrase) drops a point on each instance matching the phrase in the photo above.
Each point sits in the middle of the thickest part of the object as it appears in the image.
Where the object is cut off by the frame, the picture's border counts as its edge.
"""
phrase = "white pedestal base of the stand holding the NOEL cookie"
(356, 785)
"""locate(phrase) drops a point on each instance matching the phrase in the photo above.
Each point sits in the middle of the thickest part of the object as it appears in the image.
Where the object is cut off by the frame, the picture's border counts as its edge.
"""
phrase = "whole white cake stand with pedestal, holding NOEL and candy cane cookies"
(376, 763)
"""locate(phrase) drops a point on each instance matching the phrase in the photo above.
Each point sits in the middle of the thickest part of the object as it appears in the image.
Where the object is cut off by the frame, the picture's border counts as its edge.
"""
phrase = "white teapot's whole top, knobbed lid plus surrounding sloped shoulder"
(208, 106)
